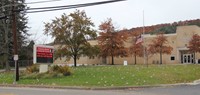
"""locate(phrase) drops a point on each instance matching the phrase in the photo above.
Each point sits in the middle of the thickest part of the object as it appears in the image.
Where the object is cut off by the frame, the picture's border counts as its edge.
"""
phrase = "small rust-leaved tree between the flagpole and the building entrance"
(158, 46)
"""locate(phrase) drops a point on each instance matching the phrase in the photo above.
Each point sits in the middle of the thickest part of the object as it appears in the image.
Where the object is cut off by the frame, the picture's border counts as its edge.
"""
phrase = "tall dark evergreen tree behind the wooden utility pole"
(6, 44)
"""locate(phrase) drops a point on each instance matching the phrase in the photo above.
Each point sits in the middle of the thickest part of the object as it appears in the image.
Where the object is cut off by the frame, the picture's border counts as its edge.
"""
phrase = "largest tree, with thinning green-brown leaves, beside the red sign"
(70, 32)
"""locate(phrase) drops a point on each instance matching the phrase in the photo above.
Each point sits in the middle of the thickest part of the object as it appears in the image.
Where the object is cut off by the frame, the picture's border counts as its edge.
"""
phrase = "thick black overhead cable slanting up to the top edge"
(45, 9)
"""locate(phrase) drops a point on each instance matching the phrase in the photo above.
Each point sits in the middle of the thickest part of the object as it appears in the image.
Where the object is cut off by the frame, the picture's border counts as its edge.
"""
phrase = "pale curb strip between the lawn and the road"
(98, 88)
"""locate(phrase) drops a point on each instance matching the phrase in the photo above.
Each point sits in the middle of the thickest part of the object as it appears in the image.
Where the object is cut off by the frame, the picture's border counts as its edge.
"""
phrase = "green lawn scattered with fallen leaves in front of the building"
(109, 76)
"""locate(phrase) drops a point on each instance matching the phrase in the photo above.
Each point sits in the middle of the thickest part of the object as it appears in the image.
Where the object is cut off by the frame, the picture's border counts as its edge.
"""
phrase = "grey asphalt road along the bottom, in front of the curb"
(170, 90)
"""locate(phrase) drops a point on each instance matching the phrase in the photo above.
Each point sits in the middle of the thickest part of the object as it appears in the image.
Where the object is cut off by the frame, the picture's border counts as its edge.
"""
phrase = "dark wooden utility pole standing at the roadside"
(14, 30)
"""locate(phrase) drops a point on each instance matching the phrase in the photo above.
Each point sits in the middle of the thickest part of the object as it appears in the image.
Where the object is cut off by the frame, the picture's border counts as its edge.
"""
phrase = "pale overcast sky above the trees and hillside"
(126, 14)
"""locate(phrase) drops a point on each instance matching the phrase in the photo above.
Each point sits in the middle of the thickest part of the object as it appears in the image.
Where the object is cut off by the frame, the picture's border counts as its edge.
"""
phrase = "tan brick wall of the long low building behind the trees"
(179, 42)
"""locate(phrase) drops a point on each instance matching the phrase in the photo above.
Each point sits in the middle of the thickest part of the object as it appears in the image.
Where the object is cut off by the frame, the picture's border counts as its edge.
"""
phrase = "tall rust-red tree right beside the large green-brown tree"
(111, 42)
